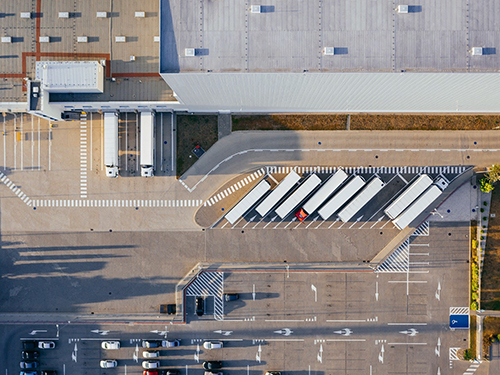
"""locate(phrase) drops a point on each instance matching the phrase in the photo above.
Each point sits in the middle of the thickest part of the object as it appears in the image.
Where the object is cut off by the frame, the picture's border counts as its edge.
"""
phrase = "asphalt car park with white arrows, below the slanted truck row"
(324, 322)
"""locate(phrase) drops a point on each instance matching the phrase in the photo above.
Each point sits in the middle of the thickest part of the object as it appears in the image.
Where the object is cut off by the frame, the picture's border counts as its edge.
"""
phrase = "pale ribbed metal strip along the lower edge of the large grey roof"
(338, 92)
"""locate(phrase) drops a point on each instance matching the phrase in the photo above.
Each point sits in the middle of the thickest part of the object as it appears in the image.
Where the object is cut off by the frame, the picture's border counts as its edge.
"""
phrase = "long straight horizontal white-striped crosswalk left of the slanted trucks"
(133, 203)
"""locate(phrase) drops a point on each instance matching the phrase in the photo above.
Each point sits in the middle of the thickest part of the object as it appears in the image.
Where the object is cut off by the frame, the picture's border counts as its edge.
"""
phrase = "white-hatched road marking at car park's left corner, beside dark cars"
(209, 284)
